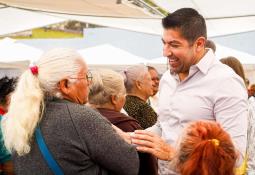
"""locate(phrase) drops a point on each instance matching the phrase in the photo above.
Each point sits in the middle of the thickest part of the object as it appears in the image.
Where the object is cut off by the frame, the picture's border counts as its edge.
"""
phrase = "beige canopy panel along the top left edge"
(110, 8)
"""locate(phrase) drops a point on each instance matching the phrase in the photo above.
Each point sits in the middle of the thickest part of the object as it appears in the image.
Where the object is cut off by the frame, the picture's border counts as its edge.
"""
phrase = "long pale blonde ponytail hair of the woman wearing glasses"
(27, 102)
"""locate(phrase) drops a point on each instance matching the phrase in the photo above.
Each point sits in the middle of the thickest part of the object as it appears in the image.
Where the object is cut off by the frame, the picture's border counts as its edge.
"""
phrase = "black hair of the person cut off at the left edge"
(7, 86)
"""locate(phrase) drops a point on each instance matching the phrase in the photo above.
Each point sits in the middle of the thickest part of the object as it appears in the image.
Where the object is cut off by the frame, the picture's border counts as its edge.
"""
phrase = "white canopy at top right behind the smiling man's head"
(222, 17)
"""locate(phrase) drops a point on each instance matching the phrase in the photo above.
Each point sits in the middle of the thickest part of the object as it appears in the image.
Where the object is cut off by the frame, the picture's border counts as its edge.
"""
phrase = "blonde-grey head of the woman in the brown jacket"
(107, 90)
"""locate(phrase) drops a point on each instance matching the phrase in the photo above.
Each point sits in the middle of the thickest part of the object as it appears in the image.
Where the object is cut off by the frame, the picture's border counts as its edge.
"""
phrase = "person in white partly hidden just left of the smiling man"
(153, 100)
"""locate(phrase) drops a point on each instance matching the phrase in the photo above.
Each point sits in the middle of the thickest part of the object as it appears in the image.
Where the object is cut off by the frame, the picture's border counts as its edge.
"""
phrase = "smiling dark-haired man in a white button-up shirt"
(197, 87)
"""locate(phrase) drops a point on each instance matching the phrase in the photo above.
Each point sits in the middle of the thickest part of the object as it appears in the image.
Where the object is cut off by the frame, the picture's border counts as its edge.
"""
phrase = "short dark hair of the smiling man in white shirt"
(190, 23)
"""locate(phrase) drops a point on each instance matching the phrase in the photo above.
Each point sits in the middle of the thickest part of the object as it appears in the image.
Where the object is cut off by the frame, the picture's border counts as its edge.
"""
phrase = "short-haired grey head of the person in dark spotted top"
(138, 81)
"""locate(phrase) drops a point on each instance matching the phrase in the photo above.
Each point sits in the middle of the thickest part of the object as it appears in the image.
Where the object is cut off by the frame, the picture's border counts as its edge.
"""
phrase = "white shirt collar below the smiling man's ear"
(205, 63)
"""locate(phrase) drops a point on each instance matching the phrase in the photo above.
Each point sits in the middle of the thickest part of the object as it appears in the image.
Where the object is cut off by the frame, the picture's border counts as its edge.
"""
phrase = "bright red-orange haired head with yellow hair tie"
(206, 149)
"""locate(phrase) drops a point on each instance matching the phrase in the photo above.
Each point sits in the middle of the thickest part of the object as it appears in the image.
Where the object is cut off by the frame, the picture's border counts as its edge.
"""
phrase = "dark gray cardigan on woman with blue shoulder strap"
(81, 141)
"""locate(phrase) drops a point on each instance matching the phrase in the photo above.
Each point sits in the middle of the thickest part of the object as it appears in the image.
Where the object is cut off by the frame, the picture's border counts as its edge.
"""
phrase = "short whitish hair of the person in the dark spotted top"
(132, 74)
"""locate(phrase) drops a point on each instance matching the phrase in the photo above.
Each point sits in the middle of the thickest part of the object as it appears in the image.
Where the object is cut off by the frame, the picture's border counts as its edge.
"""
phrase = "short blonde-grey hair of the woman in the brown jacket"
(105, 84)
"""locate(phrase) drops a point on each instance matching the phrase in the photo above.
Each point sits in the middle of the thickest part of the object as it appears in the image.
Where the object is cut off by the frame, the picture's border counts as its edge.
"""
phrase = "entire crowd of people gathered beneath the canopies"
(198, 118)
